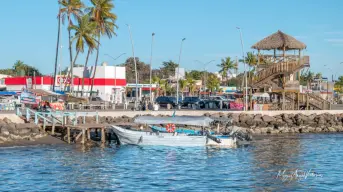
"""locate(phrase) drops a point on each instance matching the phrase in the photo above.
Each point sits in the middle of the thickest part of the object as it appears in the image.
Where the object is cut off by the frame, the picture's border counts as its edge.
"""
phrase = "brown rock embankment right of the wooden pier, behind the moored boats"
(261, 124)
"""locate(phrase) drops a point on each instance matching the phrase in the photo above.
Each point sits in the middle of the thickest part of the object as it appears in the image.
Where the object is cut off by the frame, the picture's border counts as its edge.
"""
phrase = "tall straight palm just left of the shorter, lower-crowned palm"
(70, 8)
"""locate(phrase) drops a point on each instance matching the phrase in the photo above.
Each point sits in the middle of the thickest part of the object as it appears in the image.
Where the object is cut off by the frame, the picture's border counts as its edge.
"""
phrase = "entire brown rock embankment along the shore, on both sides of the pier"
(256, 124)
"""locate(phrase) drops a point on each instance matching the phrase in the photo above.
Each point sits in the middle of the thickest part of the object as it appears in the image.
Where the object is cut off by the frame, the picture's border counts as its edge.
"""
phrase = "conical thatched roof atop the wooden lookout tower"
(279, 40)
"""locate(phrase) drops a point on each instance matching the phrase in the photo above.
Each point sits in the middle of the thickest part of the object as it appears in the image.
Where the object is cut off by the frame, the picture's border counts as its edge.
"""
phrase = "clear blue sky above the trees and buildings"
(29, 30)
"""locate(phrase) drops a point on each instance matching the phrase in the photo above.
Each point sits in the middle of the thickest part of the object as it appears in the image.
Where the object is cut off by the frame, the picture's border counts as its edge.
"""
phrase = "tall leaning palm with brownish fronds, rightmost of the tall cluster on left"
(101, 14)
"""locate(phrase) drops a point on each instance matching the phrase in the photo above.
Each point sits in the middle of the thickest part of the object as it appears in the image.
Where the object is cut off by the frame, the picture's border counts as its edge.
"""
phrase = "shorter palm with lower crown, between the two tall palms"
(84, 33)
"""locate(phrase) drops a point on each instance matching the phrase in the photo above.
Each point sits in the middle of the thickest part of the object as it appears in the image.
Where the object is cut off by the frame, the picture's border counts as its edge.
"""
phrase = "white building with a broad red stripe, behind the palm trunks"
(109, 82)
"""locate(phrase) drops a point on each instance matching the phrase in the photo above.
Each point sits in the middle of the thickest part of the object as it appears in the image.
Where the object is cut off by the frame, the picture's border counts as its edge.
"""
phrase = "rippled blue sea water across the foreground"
(289, 163)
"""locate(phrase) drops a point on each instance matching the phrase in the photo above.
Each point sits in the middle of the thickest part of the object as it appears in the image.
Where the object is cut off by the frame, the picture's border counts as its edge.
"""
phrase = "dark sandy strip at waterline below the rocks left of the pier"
(47, 140)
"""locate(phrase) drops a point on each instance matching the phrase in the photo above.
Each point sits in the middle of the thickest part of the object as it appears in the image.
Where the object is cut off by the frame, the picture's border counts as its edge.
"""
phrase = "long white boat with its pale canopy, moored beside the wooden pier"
(132, 137)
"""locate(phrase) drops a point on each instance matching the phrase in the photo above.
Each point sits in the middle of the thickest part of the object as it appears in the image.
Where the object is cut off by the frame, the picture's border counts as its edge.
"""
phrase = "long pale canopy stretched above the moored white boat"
(179, 120)
